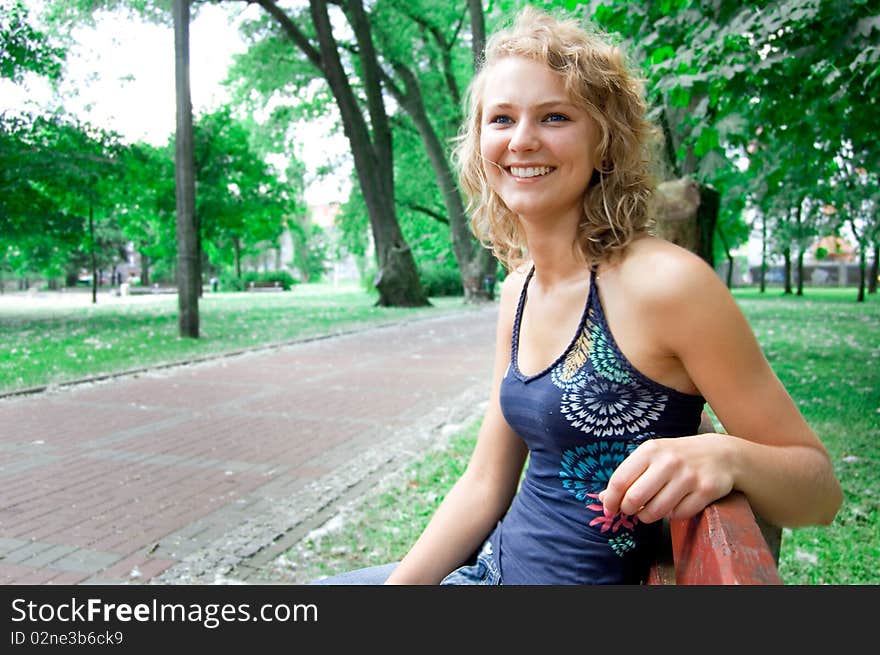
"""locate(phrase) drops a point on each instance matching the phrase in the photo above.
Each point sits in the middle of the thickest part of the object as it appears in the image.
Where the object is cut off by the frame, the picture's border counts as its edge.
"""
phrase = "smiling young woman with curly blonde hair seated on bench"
(609, 344)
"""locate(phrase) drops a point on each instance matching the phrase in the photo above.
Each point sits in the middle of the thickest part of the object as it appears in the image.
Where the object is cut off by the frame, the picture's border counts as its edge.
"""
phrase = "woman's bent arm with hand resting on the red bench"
(768, 452)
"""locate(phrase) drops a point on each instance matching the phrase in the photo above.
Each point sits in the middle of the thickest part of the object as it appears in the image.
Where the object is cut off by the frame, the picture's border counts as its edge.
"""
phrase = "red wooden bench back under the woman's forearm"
(726, 544)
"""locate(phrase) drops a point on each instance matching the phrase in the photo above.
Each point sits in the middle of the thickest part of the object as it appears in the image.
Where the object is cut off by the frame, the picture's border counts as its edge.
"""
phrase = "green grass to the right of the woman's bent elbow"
(826, 350)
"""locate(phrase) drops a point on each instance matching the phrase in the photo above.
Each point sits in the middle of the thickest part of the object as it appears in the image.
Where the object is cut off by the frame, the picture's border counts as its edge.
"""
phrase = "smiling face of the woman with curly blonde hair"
(537, 146)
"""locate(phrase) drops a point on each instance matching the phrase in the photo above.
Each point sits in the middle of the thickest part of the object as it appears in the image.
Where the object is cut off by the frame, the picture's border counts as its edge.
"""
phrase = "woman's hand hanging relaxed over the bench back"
(674, 477)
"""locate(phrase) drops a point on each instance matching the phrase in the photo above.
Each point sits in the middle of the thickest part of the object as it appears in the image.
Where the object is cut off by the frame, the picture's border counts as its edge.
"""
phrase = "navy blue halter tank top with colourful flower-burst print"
(580, 418)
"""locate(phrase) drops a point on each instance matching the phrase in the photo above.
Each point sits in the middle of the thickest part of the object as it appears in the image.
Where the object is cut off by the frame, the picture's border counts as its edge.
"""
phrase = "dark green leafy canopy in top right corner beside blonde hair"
(719, 72)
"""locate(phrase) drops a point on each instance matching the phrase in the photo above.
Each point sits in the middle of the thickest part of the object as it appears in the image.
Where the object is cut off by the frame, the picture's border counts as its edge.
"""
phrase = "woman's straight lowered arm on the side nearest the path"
(483, 493)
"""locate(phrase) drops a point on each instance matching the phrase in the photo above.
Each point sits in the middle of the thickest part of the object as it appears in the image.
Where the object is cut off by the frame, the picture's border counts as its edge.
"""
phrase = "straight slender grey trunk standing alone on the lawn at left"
(187, 232)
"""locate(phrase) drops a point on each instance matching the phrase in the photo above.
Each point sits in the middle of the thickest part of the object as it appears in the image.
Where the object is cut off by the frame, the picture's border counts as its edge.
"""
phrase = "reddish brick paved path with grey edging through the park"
(195, 473)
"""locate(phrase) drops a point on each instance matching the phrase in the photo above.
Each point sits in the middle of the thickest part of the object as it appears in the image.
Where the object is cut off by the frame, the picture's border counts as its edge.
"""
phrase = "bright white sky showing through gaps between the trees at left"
(120, 75)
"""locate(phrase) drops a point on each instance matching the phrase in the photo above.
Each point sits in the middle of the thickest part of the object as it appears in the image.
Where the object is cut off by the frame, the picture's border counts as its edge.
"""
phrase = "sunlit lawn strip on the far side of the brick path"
(48, 344)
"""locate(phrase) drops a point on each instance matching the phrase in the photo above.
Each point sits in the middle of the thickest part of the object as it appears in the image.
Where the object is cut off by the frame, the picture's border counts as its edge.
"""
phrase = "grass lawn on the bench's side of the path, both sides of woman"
(826, 350)
